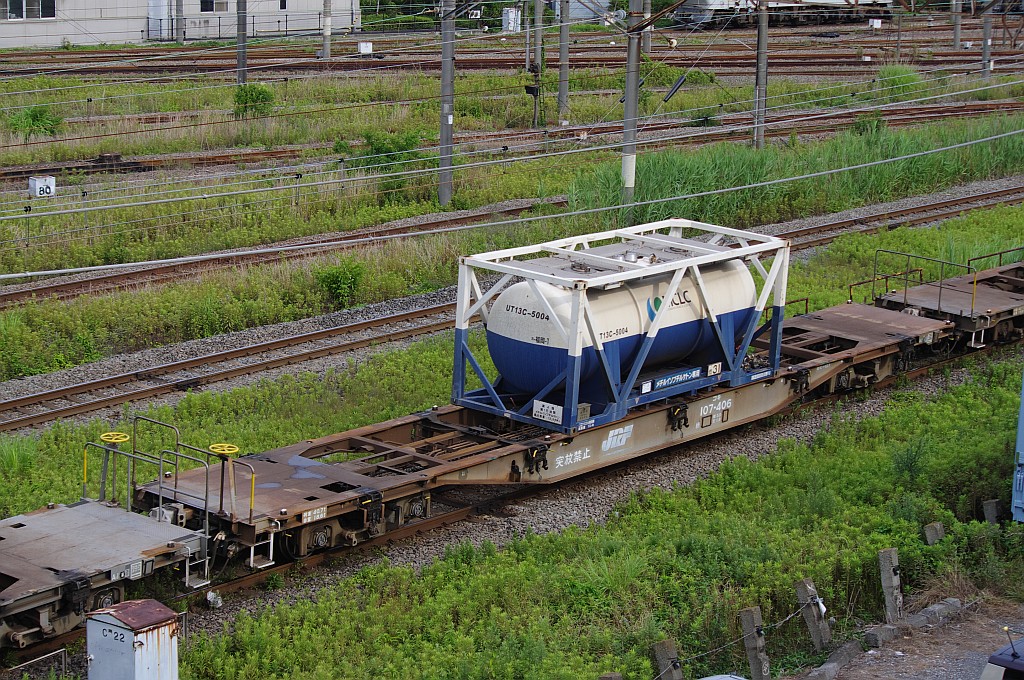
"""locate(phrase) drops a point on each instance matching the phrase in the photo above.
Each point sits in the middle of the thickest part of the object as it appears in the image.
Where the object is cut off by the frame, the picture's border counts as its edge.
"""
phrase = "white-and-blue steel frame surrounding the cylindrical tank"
(722, 245)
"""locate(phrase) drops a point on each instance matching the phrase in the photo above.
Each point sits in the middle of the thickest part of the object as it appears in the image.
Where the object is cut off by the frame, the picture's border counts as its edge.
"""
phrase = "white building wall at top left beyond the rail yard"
(117, 22)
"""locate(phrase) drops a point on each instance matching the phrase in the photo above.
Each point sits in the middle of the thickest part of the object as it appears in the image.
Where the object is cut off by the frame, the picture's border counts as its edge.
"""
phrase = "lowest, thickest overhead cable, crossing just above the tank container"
(520, 221)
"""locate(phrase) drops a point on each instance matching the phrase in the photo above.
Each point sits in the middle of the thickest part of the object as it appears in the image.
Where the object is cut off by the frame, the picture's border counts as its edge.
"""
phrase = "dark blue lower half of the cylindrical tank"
(528, 368)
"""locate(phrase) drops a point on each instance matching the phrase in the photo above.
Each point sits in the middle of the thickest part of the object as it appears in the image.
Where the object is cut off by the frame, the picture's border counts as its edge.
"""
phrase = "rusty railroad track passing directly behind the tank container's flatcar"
(180, 376)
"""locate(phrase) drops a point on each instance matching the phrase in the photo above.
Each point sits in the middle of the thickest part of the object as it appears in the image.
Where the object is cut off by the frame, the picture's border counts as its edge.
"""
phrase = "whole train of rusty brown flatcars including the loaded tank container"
(610, 347)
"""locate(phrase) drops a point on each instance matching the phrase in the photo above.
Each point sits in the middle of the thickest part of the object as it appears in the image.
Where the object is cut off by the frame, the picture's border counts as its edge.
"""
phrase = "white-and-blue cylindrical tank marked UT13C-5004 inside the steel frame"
(529, 351)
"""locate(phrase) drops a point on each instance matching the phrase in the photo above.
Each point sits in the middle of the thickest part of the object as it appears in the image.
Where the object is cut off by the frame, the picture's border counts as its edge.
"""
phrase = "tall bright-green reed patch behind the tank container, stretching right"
(667, 175)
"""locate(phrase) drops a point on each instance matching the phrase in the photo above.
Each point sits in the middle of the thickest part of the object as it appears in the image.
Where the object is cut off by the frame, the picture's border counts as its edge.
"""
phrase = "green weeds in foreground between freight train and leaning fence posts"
(674, 564)
